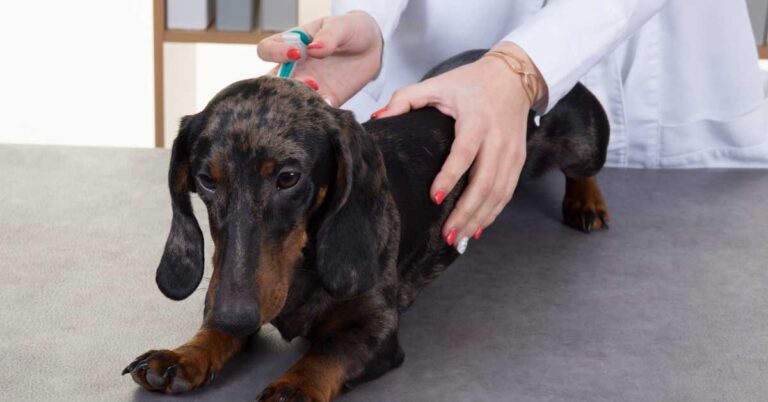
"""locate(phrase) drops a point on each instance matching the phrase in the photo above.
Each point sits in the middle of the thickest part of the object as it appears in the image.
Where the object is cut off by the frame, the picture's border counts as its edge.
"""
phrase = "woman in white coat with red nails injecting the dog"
(680, 82)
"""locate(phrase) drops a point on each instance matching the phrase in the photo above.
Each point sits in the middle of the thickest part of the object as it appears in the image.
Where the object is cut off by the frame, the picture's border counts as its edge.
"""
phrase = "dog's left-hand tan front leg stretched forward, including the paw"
(187, 367)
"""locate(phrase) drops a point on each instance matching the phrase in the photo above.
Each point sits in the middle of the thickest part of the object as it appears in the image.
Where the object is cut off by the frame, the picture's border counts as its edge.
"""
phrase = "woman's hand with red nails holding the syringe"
(345, 54)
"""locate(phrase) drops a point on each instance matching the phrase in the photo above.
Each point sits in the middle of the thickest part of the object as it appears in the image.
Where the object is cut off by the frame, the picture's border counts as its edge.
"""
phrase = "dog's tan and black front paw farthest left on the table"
(170, 371)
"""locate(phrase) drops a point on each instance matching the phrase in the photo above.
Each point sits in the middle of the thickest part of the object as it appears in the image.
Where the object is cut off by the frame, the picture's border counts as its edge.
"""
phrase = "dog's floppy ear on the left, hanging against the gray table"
(181, 267)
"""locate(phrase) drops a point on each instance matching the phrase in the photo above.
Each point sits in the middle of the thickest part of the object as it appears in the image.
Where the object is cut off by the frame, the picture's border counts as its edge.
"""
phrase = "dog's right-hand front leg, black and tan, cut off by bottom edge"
(344, 350)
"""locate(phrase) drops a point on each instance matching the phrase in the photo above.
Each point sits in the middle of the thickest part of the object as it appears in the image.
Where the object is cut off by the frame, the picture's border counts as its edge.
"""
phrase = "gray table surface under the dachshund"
(670, 304)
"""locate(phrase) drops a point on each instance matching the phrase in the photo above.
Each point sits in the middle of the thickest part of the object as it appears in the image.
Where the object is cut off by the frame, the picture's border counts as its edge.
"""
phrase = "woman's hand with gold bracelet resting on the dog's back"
(491, 107)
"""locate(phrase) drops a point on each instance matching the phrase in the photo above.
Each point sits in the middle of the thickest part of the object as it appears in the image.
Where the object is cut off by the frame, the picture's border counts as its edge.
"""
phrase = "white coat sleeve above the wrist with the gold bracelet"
(568, 37)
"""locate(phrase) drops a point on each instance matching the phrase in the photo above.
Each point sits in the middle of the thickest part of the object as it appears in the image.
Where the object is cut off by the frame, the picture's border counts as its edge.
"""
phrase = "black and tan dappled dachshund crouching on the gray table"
(325, 228)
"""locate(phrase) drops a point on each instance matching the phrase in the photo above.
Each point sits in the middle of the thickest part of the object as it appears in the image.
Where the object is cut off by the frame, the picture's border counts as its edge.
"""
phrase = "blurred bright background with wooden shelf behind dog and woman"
(123, 73)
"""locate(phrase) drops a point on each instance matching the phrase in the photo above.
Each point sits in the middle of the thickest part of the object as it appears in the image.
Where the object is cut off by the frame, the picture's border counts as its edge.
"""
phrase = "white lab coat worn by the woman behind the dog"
(679, 78)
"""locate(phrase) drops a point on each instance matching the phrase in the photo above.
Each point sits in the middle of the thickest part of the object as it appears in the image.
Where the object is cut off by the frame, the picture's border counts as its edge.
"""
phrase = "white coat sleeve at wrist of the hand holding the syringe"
(387, 15)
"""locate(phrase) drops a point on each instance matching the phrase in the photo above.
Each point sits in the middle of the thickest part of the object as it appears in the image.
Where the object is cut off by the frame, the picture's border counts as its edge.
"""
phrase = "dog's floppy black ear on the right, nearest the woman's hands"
(347, 241)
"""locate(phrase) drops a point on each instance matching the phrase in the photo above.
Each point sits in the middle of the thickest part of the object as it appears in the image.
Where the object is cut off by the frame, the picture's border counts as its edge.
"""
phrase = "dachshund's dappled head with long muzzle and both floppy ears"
(277, 169)
